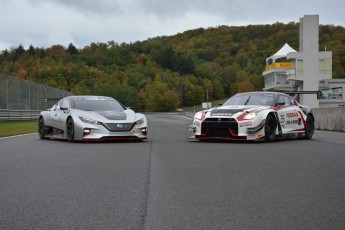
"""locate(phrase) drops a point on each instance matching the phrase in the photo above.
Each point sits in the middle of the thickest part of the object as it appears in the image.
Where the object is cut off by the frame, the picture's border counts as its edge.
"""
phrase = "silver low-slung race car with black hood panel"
(91, 118)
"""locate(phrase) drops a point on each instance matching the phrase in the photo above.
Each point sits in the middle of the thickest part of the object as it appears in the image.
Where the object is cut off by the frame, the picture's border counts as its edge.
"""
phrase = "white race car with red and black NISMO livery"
(254, 116)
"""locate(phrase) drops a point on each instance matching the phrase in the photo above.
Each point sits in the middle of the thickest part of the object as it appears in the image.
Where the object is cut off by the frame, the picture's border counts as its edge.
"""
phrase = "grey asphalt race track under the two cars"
(169, 182)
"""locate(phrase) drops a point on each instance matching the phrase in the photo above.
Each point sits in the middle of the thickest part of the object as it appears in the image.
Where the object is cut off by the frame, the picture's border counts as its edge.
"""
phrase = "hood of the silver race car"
(108, 116)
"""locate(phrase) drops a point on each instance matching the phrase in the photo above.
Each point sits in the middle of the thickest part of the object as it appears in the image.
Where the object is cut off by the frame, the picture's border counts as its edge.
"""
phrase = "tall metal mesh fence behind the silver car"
(22, 95)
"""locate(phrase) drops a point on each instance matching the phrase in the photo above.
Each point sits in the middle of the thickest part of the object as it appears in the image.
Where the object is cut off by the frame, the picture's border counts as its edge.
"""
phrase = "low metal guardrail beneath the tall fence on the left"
(16, 115)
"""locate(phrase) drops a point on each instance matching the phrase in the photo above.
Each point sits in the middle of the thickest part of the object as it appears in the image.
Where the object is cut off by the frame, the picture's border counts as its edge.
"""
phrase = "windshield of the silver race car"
(98, 105)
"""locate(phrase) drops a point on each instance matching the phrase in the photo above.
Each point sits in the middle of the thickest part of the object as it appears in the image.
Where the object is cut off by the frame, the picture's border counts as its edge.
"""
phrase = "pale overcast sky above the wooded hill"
(43, 23)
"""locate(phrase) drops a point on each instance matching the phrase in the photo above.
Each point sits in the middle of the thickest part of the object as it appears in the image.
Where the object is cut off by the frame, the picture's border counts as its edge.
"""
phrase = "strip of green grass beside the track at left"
(11, 128)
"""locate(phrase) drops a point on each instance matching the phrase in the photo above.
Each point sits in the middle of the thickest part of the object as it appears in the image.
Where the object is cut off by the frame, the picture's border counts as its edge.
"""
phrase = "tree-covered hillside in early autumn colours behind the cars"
(167, 72)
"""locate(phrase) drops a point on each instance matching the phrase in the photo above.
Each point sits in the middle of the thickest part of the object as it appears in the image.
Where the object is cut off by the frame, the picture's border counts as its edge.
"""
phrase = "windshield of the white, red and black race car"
(250, 99)
